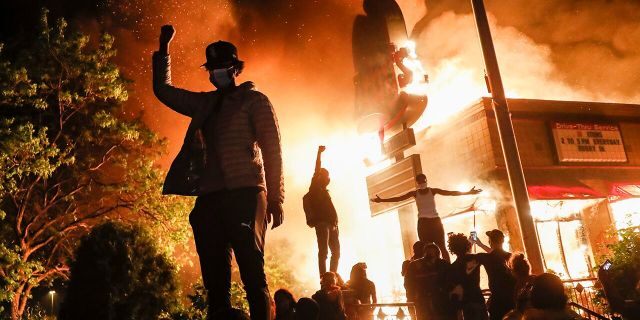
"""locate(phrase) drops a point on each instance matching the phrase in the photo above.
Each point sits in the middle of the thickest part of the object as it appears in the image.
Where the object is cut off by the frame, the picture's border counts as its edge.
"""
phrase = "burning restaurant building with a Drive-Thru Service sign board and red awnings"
(582, 166)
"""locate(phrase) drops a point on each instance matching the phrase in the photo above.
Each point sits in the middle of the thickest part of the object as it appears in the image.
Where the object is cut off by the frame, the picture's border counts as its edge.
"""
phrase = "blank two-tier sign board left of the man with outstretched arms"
(393, 181)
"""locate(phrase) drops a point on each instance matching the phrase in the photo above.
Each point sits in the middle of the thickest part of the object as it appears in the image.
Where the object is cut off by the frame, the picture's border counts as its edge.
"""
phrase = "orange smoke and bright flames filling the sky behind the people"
(299, 54)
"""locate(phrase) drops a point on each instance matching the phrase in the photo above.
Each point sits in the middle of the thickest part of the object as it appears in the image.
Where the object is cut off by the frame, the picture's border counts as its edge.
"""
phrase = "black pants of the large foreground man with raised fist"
(226, 221)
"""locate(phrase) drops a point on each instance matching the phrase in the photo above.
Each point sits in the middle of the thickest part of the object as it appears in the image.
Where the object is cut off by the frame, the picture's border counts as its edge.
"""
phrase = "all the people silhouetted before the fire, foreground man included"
(231, 160)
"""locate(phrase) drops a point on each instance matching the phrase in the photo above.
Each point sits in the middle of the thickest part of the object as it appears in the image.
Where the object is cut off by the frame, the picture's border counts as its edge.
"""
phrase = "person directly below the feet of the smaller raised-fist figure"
(329, 298)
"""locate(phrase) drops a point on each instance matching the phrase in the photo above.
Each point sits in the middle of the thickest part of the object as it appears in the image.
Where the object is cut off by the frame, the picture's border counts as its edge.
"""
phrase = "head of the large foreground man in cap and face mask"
(223, 64)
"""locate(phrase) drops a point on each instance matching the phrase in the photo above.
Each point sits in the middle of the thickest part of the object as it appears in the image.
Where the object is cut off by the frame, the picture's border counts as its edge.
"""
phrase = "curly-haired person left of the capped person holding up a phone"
(464, 277)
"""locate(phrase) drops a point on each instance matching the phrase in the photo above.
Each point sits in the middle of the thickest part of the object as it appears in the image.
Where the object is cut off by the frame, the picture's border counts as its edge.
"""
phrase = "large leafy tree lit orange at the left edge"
(70, 158)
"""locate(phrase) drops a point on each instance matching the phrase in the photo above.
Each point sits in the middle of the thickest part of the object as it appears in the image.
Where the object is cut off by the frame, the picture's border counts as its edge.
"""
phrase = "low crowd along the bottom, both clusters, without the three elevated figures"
(440, 290)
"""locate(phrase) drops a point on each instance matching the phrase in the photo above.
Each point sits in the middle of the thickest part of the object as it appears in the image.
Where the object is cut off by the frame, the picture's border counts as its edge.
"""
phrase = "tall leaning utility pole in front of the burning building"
(508, 140)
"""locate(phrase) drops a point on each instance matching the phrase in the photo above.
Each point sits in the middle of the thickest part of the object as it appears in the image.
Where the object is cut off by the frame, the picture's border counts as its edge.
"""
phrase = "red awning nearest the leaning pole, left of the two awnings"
(550, 188)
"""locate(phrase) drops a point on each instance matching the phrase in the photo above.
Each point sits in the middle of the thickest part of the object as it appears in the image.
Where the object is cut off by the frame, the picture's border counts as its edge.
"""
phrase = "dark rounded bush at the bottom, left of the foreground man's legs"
(118, 273)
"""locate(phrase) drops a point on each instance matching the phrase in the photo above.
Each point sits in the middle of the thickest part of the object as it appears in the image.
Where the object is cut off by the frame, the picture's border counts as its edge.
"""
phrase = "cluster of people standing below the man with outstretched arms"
(441, 290)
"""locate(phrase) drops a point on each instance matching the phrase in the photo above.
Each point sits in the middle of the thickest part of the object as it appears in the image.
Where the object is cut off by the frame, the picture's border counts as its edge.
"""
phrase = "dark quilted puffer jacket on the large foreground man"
(247, 138)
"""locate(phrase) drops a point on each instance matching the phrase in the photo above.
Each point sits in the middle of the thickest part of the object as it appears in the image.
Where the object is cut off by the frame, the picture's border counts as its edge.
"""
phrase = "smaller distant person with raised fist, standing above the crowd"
(325, 217)
